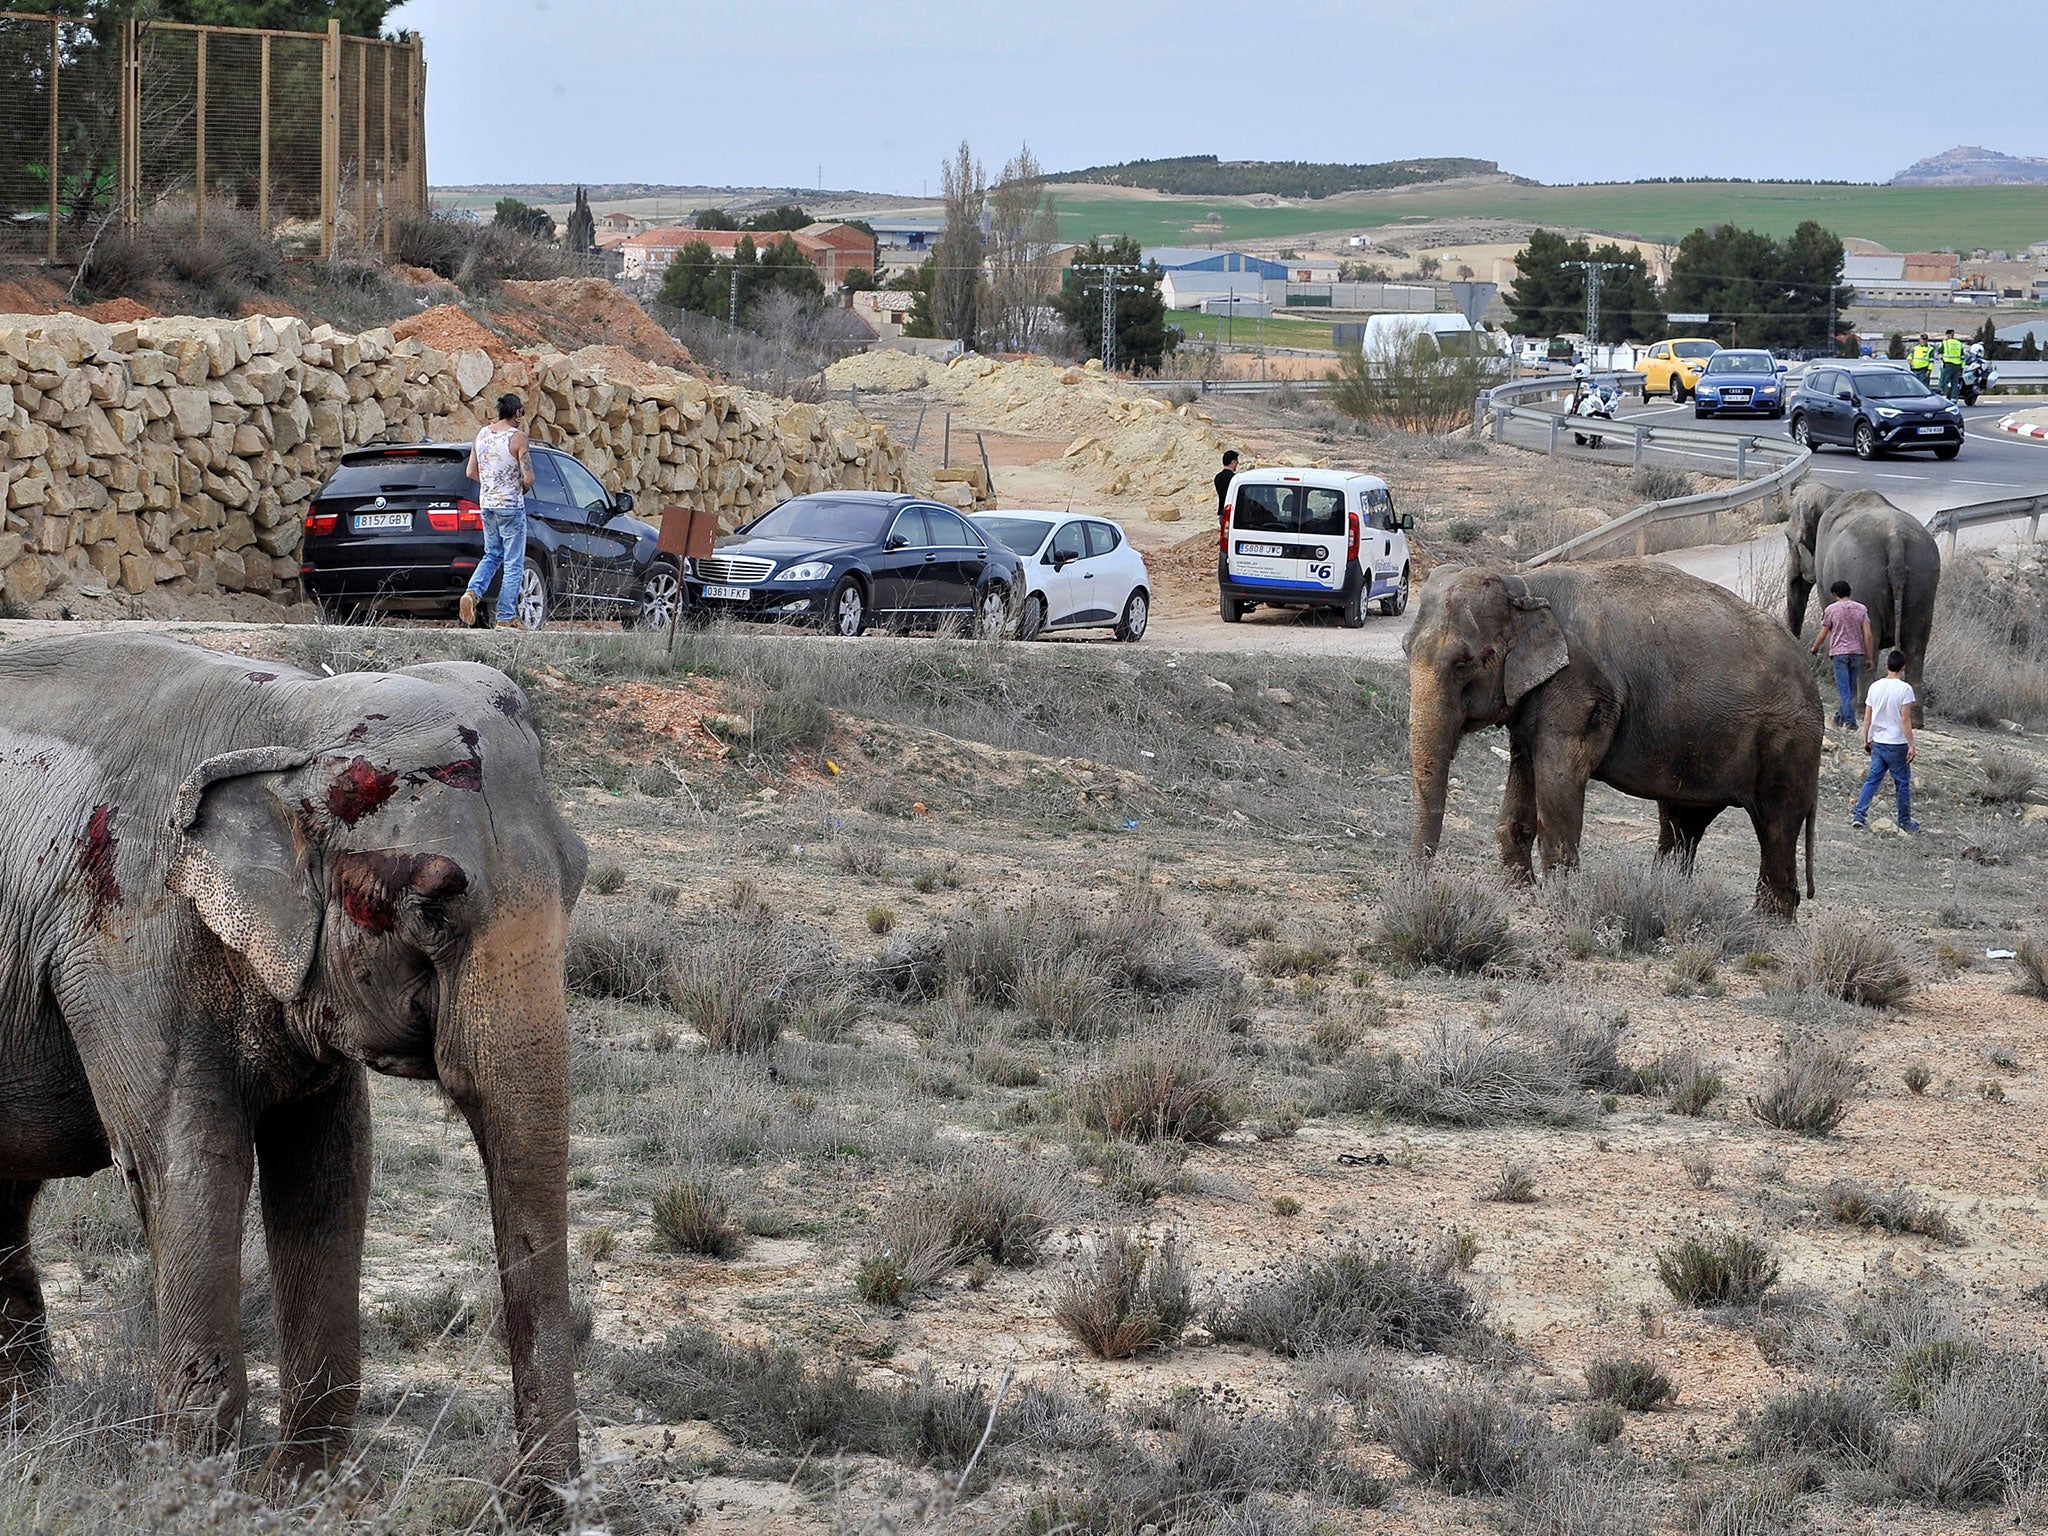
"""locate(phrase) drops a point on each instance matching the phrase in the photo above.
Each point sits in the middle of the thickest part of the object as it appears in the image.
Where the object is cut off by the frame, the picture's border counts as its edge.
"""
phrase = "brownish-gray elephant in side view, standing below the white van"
(1635, 675)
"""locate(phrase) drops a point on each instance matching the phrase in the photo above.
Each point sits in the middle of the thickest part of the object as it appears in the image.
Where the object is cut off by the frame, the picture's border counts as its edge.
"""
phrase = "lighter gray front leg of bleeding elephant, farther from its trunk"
(196, 1185)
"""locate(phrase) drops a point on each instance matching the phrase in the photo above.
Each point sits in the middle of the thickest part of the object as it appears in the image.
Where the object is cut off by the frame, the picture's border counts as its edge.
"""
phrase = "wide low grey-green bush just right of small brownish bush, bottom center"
(1349, 1299)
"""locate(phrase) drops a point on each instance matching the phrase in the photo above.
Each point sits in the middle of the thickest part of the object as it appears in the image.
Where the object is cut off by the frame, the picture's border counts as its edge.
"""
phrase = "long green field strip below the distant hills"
(1902, 218)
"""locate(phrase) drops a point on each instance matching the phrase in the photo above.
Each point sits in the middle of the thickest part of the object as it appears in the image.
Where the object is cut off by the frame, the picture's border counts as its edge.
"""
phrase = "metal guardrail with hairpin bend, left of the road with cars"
(1506, 404)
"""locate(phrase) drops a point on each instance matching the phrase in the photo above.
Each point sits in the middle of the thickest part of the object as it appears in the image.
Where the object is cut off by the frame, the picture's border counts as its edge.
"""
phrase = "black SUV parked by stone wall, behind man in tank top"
(396, 529)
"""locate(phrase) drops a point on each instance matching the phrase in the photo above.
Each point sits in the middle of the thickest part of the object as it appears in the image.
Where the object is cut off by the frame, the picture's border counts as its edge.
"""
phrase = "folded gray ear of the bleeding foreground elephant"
(245, 867)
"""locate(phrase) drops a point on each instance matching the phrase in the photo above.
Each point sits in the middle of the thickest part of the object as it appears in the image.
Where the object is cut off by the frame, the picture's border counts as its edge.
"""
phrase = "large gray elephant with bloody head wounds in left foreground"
(228, 890)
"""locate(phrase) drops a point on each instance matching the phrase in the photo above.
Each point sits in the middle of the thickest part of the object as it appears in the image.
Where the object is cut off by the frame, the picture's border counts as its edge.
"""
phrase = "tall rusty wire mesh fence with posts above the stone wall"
(321, 138)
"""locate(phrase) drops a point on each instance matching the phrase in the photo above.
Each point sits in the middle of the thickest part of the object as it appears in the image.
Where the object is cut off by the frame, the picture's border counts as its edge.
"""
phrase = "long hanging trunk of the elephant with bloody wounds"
(505, 1058)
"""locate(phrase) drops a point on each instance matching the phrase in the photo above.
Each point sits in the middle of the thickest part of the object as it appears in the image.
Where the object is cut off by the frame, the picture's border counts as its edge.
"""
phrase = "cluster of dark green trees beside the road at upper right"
(1756, 290)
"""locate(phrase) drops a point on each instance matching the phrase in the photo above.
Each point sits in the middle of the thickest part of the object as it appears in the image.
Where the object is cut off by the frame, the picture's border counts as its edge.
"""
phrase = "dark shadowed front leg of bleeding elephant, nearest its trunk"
(316, 1181)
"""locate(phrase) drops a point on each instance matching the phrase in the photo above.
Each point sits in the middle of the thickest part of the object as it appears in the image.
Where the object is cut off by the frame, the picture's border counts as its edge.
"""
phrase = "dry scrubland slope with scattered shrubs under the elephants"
(968, 1023)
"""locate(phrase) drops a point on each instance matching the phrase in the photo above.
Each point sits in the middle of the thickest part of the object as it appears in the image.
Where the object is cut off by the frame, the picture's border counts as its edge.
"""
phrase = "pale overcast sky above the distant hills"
(873, 93)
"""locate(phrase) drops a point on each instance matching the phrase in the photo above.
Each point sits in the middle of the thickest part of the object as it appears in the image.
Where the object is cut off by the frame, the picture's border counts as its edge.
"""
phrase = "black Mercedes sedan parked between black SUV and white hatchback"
(845, 560)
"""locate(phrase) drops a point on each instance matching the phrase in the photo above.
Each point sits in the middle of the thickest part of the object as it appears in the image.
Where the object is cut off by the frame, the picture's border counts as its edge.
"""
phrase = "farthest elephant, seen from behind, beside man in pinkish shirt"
(1889, 560)
